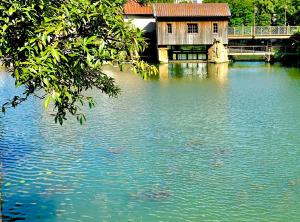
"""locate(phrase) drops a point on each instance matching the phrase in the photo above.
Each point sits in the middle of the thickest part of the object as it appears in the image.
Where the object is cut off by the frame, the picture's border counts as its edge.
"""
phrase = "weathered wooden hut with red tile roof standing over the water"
(185, 31)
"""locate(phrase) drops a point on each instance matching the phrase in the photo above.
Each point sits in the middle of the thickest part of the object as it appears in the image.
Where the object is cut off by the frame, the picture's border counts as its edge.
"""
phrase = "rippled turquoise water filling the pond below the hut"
(199, 143)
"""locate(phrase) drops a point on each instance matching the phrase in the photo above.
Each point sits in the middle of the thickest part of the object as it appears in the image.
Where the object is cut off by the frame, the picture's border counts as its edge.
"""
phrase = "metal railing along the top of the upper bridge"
(263, 30)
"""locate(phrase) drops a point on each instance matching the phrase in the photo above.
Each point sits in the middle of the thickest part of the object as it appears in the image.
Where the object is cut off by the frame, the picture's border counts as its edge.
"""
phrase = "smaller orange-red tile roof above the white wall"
(132, 7)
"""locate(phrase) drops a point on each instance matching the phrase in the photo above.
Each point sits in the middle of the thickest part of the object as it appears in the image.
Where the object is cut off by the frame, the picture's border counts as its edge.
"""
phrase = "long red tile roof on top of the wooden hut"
(191, 10)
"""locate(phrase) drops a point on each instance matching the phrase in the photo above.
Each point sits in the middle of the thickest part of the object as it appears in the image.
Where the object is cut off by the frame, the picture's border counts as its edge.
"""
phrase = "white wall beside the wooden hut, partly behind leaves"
(143, 22)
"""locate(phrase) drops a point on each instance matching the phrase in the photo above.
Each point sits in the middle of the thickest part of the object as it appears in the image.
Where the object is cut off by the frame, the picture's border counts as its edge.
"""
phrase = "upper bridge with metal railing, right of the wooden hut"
(263, 32)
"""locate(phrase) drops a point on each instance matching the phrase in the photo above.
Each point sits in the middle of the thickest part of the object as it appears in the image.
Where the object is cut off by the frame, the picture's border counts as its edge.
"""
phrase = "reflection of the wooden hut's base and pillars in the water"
(199, 70)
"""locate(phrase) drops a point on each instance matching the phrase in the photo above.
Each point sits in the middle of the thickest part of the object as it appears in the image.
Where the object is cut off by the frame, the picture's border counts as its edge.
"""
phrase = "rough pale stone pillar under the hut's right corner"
(217, 53)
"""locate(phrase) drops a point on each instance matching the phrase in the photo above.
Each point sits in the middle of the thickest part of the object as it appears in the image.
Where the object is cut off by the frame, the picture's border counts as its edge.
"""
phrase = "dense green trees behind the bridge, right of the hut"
(265, 12)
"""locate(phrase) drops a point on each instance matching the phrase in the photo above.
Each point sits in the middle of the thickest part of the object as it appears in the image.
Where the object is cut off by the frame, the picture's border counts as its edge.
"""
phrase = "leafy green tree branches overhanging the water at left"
(55, 50)
